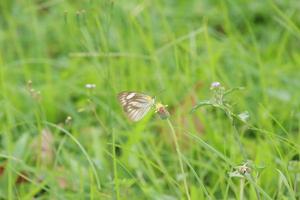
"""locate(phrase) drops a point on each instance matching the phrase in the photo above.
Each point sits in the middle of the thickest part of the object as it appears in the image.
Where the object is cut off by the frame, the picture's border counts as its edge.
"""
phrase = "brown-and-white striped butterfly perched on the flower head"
(136, 105)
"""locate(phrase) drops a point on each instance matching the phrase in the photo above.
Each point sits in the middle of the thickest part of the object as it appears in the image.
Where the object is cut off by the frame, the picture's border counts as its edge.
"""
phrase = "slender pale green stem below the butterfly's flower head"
(179, 158)
